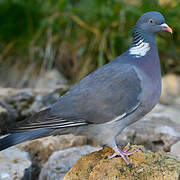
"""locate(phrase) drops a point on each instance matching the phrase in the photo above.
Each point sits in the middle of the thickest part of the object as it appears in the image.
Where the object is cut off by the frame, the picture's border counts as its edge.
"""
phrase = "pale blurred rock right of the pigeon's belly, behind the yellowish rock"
(156, 131)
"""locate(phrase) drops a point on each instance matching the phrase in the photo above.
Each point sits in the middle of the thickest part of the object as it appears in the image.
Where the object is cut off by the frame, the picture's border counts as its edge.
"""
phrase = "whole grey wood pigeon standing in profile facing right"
(107, 100)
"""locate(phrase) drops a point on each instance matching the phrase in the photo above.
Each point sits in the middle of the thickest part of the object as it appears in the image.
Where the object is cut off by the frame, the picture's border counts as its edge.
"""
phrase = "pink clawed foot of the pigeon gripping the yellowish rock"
(123, 153)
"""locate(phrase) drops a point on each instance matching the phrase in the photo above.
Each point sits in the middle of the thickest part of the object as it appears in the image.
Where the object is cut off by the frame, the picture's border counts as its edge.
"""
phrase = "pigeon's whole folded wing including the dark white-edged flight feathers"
(111, 92)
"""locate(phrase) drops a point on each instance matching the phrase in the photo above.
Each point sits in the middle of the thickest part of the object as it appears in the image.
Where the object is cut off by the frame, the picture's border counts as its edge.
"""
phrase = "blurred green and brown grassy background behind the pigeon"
(78, 36)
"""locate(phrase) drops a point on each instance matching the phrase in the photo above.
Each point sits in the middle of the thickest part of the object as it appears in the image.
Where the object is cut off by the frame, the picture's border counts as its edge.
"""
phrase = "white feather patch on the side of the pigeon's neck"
(140, 49)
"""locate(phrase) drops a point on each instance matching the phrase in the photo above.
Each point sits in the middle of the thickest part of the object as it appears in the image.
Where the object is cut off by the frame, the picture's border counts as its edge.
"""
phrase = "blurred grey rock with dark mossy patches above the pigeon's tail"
(17, 104)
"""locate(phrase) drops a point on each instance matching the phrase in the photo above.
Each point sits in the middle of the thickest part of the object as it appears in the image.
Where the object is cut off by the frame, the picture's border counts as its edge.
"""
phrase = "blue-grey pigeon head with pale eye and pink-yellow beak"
(152, 22)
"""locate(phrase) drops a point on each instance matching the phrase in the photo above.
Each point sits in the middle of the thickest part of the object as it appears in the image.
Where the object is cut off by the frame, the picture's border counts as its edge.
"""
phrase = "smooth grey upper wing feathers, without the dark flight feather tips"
(103, 95)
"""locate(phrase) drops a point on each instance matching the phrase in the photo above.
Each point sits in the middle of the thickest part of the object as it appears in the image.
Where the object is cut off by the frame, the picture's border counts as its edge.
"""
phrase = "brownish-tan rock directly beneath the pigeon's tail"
(41, 149)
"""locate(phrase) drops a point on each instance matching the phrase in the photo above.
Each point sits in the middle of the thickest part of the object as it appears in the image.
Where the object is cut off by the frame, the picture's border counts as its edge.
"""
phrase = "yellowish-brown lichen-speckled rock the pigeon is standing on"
(94, 166)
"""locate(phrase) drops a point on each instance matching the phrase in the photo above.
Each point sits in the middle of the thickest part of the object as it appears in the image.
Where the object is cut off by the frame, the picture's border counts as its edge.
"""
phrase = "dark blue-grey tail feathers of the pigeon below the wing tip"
(19, 137)
